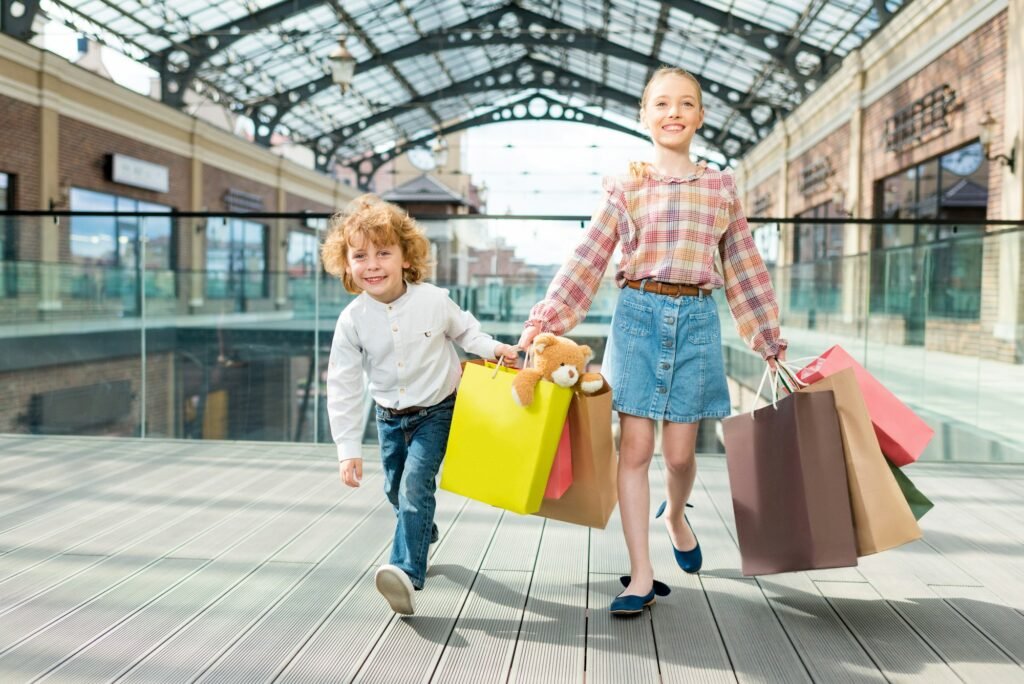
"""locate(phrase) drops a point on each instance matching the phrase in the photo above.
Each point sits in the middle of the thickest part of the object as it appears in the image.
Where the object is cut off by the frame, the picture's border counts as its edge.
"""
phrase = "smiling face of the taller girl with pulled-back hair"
(673, 113)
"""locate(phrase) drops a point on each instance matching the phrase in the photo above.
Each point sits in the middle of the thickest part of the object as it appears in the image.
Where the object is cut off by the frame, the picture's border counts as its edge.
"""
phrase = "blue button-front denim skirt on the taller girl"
(664, 358)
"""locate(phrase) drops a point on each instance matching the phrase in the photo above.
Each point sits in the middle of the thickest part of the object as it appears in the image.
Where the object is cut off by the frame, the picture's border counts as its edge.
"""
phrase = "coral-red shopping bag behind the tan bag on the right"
(903, 435)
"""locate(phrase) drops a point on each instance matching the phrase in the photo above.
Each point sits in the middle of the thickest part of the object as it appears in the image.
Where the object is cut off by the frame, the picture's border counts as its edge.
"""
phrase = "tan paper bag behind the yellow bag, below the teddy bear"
(593, 495)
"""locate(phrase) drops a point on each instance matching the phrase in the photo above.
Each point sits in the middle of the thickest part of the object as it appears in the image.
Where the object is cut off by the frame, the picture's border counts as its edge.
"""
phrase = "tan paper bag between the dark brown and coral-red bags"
(882, 519)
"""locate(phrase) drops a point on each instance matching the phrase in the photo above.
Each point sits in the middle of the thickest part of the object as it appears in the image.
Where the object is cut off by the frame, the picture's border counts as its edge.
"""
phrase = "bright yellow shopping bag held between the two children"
(498, 452)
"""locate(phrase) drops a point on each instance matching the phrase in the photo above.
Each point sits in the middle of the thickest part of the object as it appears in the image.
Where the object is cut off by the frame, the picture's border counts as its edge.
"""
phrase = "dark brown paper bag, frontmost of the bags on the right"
(790, 493)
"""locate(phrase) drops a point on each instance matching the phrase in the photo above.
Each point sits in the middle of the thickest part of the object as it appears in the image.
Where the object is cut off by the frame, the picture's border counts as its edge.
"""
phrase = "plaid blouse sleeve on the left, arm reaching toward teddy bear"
(573, 289)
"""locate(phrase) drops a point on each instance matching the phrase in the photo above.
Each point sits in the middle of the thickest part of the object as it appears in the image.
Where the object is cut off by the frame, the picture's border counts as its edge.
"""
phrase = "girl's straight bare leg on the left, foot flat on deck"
(635, 452)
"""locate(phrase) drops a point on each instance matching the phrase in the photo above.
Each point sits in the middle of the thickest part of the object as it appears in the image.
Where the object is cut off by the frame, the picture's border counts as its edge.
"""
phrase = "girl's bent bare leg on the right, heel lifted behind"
(678, 445)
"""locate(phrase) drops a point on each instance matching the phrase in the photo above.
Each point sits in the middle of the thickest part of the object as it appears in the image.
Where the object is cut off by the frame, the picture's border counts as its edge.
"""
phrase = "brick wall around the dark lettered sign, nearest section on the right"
(976, 69)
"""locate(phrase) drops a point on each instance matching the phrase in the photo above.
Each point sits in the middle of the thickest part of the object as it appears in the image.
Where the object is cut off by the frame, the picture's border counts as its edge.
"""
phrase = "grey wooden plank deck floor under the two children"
(164, 562)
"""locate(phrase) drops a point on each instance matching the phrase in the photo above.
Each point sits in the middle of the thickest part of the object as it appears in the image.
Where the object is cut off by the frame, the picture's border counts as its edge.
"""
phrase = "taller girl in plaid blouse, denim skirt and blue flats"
(684, 234)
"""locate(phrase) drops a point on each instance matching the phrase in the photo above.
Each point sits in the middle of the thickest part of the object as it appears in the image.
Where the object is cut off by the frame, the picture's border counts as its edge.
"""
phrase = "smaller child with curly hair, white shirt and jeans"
(399, 332)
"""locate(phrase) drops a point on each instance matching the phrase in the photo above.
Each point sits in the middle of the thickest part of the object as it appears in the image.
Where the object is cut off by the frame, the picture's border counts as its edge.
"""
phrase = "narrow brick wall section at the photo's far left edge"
(20, 157)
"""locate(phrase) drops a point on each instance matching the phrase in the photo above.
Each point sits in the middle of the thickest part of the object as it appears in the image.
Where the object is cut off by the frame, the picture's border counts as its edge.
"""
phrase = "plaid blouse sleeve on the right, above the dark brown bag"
(748, 285)
